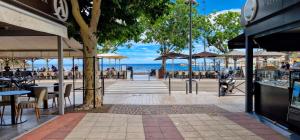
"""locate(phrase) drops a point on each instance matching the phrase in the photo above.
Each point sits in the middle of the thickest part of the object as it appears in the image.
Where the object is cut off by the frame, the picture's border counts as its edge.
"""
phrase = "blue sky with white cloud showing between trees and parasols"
(141, 53)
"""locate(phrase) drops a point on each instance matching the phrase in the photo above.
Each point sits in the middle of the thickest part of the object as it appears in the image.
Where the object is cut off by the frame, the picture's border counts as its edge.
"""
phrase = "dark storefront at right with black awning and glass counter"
(273, 25)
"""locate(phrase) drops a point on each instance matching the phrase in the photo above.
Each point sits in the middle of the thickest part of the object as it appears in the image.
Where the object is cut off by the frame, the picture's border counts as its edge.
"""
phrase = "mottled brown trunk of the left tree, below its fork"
(90, 47)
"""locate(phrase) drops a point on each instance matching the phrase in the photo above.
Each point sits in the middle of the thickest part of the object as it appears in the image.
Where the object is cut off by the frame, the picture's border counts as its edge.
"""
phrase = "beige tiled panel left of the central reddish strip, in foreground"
(110, 127)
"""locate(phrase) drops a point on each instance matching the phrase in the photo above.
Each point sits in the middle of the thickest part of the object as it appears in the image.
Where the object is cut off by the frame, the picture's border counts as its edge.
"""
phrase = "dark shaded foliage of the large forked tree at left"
(119, 20)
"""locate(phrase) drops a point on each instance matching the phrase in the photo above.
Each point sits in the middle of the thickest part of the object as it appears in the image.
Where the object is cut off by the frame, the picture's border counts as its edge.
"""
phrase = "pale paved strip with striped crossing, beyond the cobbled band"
(156, 93)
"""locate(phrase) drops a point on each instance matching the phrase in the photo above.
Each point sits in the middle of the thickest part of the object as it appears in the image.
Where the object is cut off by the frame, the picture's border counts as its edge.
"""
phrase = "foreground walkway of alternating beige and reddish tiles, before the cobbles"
(107, 126)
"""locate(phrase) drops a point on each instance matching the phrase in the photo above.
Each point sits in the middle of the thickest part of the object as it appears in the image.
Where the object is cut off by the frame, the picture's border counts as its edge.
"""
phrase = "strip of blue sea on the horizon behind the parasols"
(137, 68)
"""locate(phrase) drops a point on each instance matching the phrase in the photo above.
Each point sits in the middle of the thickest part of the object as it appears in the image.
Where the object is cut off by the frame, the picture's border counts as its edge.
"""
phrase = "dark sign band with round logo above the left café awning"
(54, 8)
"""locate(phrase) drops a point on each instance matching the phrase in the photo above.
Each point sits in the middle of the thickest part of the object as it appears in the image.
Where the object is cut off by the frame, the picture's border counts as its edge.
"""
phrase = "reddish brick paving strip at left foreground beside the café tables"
(58, 128)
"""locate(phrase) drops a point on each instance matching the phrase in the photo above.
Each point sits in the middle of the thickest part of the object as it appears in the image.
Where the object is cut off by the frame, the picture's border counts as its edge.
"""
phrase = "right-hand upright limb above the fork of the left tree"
(96, 12)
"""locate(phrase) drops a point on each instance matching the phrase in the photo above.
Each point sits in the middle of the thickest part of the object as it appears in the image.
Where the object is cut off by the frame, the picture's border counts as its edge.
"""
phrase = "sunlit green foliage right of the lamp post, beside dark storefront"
(218, 29)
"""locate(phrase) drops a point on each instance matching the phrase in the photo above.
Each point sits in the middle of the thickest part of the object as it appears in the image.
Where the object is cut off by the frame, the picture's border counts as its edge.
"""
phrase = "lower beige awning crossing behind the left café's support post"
(37, 47)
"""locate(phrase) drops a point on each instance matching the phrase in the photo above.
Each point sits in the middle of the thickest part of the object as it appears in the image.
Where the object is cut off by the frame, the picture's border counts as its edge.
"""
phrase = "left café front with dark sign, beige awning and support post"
(39, 25)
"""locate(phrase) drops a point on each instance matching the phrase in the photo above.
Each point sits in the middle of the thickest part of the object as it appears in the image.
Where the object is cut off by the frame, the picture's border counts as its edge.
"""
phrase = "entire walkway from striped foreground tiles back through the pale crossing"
(143, 110)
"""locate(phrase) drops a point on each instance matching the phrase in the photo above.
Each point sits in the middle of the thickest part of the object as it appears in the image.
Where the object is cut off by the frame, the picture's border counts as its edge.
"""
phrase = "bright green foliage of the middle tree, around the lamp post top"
(171, 30)
